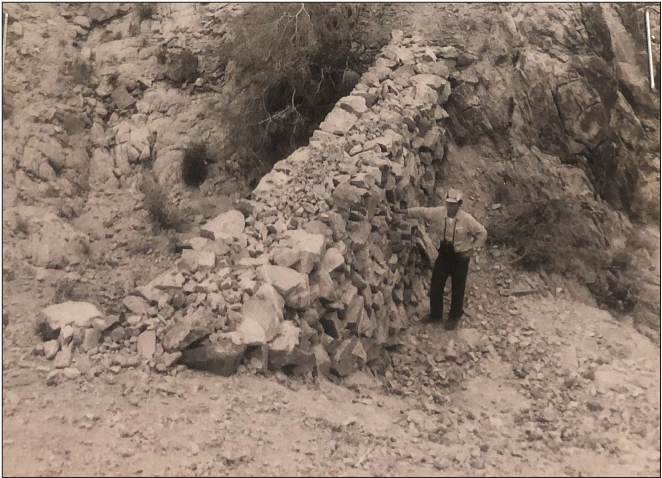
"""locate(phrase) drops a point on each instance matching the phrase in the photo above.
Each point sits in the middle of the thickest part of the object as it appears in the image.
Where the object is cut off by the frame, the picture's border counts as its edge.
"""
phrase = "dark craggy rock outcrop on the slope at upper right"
(571, 84)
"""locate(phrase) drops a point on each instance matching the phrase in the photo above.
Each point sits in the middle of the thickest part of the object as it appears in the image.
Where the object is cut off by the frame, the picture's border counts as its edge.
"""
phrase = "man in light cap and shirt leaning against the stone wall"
(461, 234)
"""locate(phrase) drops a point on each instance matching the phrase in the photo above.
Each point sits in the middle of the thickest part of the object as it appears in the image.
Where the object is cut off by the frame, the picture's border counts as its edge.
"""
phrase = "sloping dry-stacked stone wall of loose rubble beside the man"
(316, 271)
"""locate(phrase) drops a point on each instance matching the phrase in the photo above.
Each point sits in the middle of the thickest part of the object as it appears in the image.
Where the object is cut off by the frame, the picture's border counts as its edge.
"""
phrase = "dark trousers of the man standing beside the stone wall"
(455, 265)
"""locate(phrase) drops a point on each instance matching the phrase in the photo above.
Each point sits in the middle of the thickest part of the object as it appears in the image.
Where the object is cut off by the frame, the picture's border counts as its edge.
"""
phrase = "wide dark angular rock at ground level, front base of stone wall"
(222, 357)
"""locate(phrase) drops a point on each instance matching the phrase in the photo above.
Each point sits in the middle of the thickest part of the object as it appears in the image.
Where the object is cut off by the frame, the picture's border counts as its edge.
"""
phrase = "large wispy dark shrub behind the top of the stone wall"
(290, 63)
